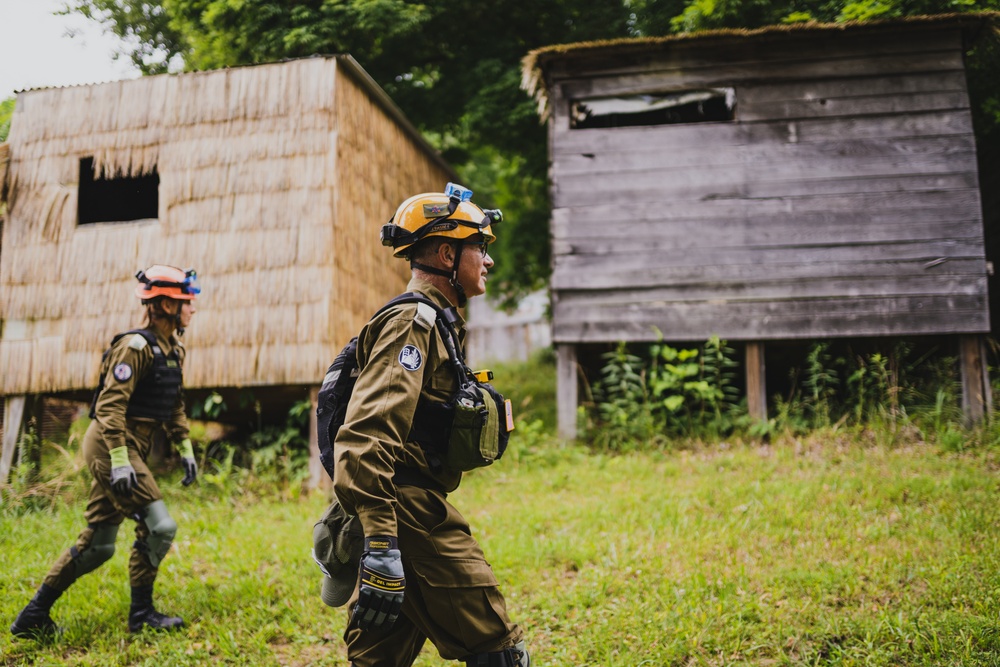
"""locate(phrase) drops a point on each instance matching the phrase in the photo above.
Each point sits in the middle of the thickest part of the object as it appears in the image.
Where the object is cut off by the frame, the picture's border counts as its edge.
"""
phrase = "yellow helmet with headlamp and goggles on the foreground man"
(451, 215)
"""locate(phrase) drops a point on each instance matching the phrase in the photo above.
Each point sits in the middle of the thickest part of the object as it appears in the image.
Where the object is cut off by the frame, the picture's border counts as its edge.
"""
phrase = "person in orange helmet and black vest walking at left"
(139, 398)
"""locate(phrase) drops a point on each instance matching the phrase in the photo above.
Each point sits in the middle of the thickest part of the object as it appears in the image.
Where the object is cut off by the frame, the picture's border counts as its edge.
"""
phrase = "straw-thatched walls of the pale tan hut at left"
(256, 165)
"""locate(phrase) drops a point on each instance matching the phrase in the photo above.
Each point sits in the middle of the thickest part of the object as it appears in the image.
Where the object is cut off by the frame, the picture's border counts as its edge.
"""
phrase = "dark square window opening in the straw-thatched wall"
(116, 199)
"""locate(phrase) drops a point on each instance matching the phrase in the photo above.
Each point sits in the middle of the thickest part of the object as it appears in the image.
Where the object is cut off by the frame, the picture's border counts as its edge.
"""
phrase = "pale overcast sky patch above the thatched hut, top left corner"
(37, 51)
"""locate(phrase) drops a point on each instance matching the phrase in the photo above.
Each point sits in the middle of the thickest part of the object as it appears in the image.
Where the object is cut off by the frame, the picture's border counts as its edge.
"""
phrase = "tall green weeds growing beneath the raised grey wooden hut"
(647, 393)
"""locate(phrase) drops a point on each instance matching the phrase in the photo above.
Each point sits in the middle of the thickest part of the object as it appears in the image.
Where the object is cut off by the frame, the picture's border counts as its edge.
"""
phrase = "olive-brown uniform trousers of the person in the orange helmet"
(106, 507)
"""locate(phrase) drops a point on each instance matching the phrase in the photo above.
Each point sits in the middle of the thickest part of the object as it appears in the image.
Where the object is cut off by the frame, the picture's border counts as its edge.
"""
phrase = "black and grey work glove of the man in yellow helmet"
(380, 595)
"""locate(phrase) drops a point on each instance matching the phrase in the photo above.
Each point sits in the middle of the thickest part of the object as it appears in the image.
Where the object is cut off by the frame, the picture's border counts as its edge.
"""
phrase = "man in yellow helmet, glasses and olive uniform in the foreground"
(422, 576)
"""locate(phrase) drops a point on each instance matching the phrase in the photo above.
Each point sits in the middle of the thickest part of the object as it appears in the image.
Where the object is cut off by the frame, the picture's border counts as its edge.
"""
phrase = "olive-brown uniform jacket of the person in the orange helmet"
(134, 352)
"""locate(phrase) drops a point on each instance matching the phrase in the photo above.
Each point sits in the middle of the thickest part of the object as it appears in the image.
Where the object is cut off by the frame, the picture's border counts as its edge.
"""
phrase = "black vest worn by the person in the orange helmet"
(155, 395)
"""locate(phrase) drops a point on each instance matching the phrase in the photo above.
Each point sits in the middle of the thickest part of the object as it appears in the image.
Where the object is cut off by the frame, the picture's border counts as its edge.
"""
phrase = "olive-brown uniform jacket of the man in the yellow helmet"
(373, 439)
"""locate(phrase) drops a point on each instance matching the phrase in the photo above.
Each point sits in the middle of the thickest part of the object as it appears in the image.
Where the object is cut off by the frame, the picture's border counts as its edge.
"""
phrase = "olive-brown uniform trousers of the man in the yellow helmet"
(451, 598)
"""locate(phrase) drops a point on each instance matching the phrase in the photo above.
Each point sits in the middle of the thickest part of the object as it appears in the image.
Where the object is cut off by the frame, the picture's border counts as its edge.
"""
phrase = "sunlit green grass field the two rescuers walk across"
(822, 551)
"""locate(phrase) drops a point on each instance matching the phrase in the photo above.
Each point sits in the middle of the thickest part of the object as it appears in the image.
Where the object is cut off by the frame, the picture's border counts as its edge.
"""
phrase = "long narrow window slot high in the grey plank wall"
(683, 106)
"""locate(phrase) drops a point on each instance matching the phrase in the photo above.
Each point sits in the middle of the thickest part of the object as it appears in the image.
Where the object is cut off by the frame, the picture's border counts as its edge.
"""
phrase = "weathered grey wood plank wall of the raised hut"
(842, 201)
